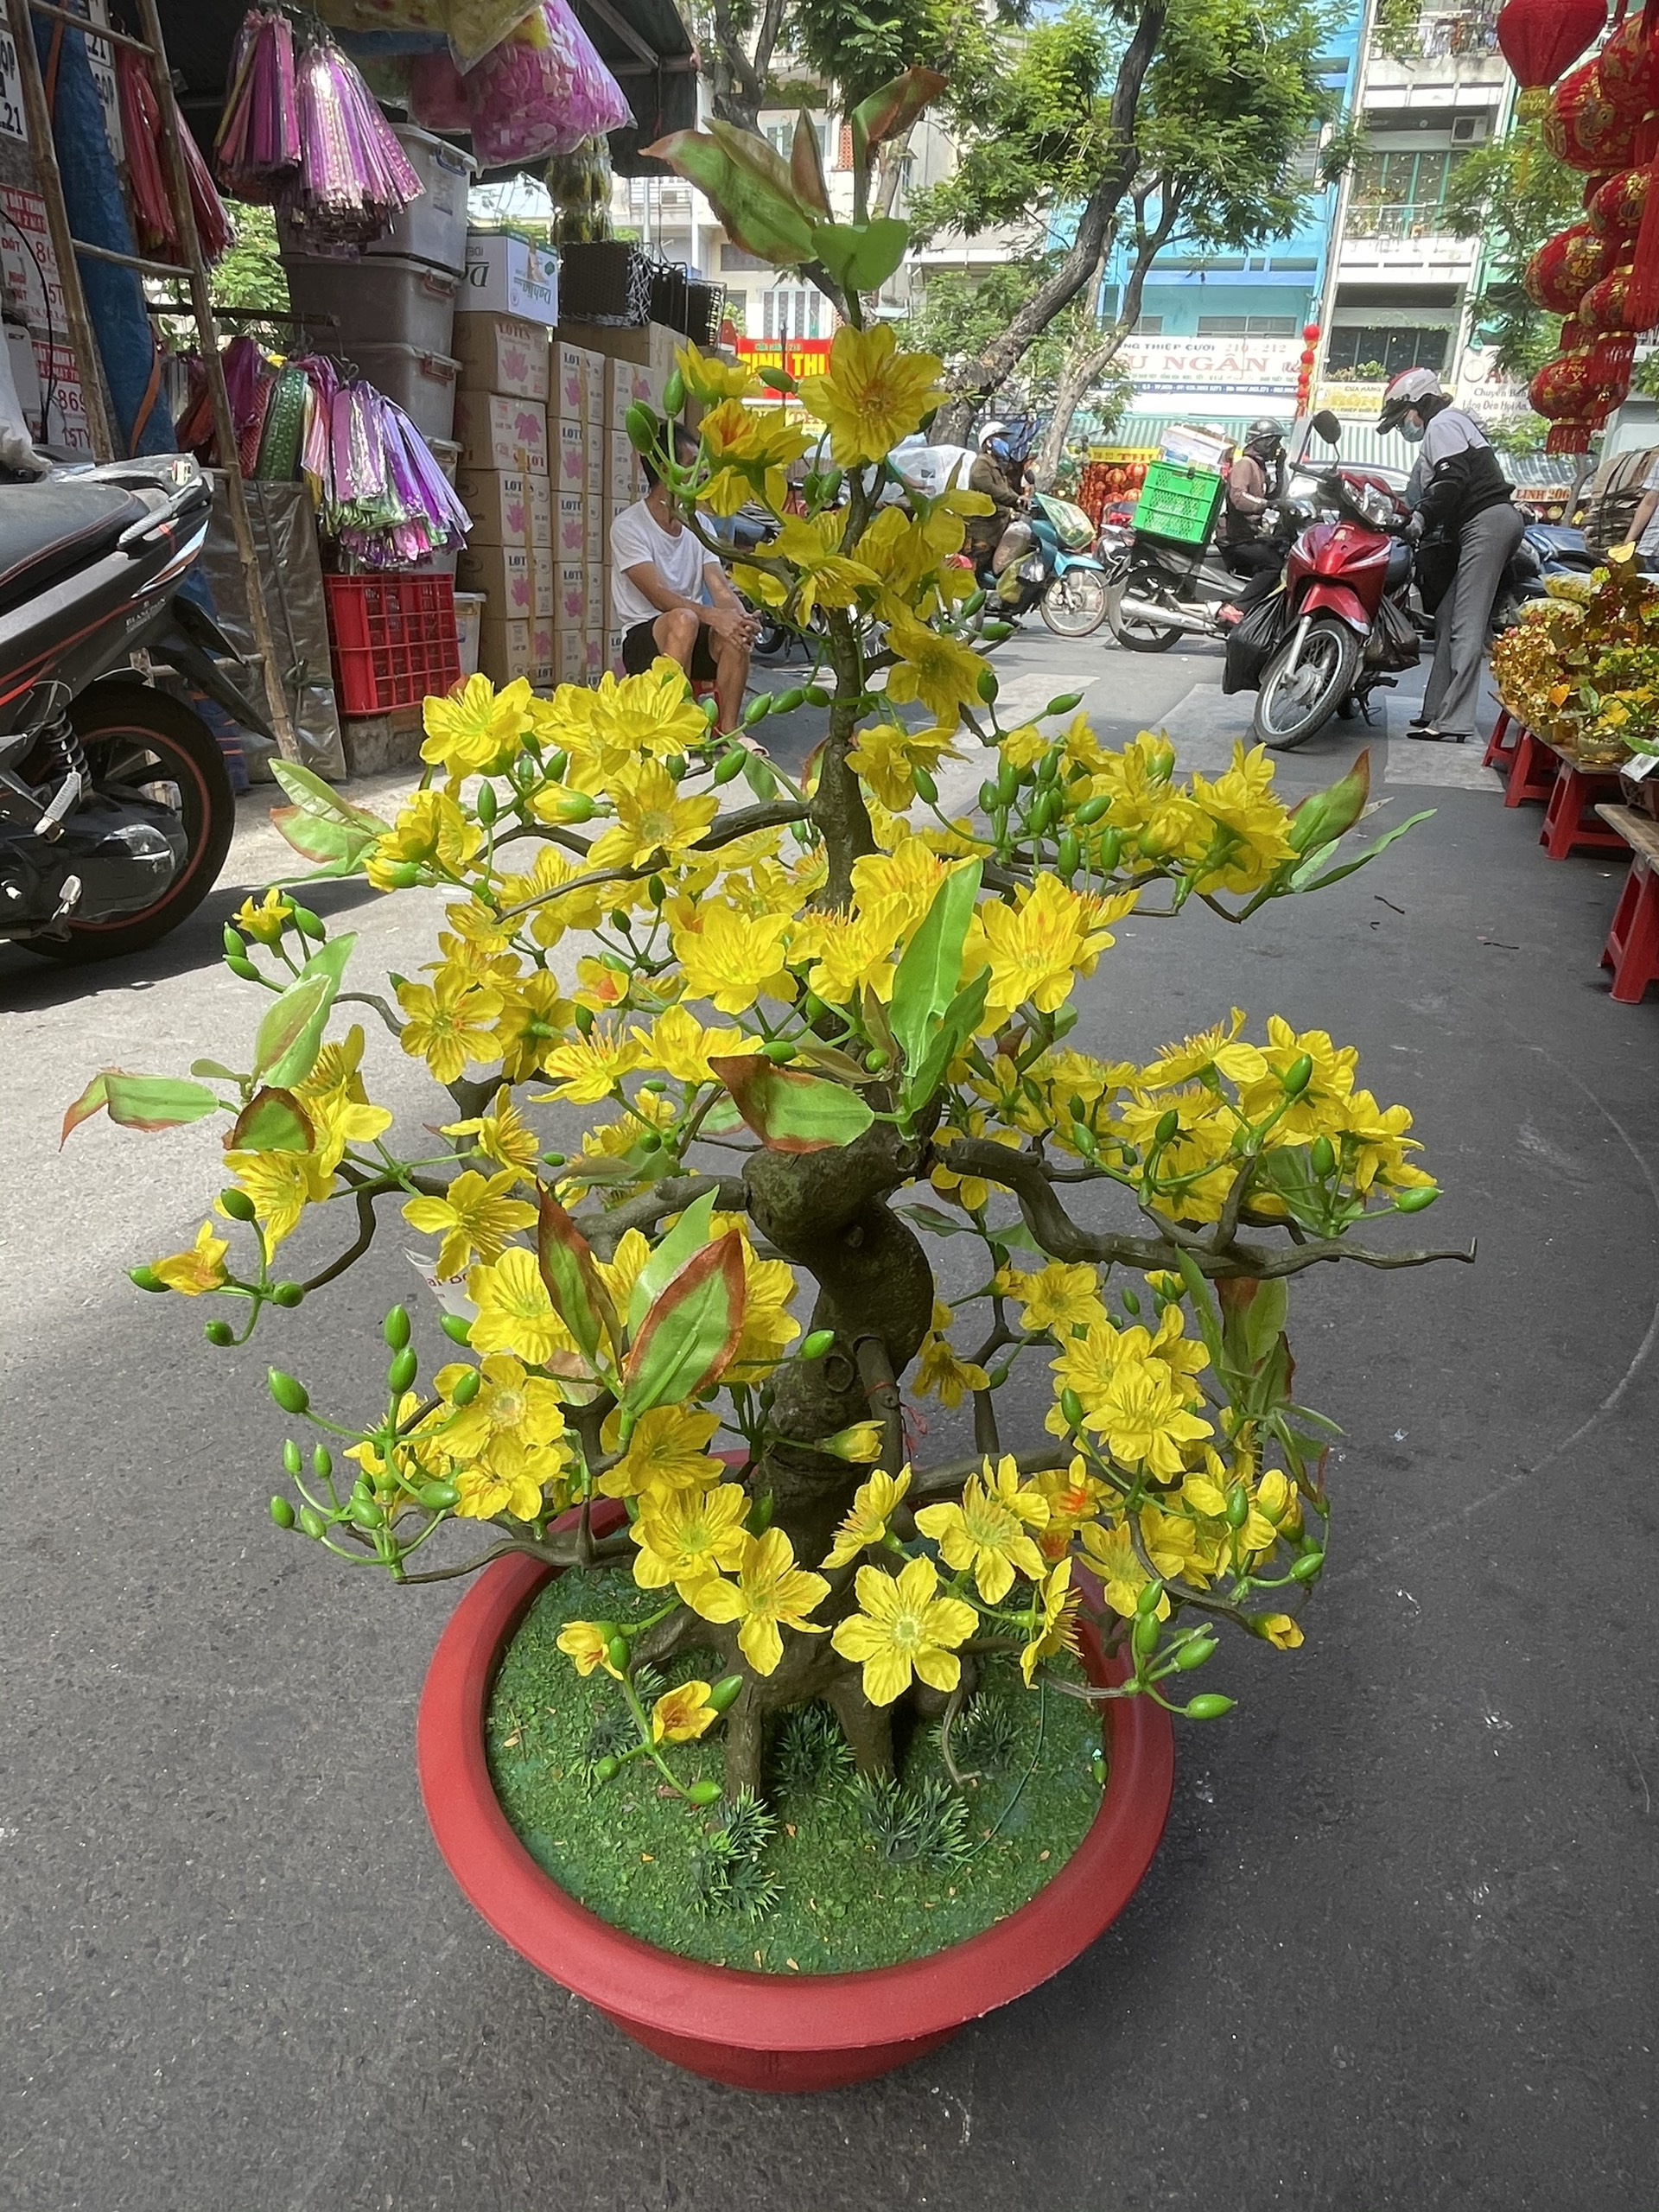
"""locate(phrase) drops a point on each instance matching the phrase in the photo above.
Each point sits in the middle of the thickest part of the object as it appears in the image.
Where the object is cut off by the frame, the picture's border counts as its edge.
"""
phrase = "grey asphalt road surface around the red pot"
(1399, 1943)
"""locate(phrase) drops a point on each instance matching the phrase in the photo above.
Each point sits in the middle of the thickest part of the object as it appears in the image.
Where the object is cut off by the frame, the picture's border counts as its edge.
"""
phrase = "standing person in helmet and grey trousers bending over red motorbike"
(1468, 534)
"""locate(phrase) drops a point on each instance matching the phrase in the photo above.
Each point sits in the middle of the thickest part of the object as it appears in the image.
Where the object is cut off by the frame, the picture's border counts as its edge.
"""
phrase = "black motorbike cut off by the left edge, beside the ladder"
(116, 804)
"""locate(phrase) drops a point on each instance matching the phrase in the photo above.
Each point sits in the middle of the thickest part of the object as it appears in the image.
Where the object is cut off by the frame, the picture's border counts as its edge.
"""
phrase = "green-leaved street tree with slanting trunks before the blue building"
(1187, 123)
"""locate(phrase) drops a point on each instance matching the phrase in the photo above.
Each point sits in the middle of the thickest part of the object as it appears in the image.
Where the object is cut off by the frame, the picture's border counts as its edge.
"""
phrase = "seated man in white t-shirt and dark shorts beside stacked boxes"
(671, 596)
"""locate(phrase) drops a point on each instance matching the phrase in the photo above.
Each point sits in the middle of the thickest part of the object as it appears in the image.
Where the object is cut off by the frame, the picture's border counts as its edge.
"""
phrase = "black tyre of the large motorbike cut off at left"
(149, 747)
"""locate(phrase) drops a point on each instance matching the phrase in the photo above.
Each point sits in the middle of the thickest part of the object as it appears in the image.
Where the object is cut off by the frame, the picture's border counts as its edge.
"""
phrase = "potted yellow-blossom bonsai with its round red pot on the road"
(786, 1742)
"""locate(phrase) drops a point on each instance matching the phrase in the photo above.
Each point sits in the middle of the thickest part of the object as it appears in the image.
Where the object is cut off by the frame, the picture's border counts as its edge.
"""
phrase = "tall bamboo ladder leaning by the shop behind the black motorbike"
(191, 271)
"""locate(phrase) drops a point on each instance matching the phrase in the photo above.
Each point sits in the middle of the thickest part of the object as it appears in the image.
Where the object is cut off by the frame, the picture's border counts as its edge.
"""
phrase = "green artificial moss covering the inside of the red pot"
(638, 1857)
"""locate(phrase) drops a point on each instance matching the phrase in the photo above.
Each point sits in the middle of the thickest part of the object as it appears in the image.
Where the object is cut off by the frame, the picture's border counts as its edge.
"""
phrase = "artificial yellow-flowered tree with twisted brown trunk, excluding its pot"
(820, 1025)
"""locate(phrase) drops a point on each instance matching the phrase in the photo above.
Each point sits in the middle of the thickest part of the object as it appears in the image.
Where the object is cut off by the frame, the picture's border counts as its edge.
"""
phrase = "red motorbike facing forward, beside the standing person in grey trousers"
(1344, 605)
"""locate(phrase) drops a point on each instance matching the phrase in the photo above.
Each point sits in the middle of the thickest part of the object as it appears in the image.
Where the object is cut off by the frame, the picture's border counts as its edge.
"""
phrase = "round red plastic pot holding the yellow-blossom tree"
(764, 2032)
